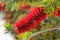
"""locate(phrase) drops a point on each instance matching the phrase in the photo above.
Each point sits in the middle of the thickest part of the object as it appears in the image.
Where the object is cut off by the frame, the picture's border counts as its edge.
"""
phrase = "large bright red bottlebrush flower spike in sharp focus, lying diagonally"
(35, 16)
